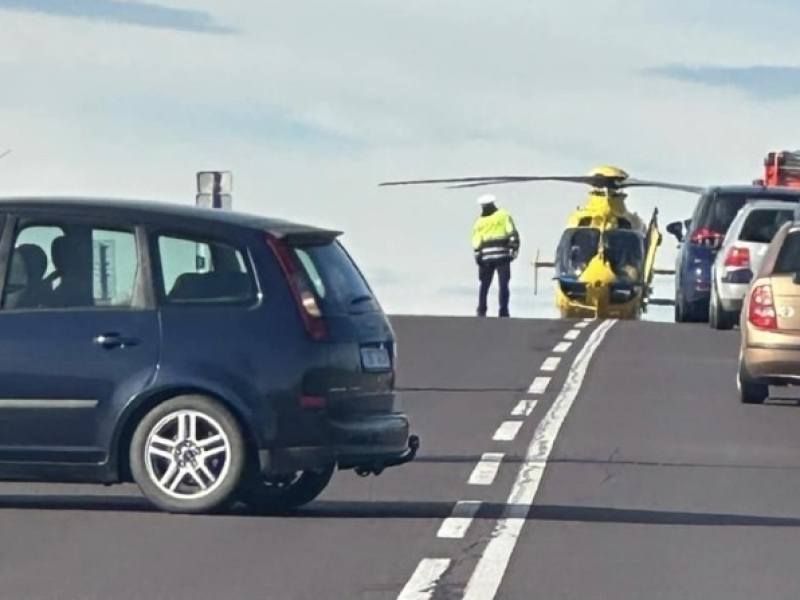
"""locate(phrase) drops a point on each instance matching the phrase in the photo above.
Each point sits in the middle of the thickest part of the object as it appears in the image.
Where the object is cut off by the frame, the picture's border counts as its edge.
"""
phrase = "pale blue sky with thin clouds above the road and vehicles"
(312, 103)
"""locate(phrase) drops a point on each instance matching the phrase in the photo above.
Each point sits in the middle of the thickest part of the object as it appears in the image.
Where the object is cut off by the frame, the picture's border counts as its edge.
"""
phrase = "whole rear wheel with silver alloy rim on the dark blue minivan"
(187, 455)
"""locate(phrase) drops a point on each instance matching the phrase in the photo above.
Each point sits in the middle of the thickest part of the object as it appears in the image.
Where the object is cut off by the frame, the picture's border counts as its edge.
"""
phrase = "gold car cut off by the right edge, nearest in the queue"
(770, 321)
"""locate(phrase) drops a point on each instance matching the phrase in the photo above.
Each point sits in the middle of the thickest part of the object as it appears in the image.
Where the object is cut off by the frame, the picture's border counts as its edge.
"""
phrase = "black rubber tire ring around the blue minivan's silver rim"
(223, 489)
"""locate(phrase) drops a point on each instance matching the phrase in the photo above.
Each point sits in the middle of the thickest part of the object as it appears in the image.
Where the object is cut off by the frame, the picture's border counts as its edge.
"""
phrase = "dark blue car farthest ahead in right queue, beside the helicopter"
(700, 240)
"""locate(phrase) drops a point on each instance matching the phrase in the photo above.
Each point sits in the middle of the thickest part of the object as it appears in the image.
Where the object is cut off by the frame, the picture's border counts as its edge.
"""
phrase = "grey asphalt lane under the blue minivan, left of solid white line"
(361, 540)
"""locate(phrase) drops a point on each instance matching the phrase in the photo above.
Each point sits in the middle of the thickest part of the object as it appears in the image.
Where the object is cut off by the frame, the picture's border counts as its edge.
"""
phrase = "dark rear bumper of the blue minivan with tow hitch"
(368, 444)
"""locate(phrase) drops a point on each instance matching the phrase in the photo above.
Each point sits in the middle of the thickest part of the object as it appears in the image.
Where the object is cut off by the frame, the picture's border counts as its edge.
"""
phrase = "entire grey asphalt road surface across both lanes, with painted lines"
(647, 478)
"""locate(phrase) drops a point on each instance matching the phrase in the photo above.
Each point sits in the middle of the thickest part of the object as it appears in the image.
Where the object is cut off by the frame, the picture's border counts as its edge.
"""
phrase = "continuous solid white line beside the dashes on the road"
(491, 567)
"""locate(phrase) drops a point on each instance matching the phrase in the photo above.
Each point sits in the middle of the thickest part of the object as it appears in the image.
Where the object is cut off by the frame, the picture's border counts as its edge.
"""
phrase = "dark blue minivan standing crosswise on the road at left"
(209, 356)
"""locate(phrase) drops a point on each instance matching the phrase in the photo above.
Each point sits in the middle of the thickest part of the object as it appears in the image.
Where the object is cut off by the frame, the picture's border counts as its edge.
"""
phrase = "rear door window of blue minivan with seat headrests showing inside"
(71, 266)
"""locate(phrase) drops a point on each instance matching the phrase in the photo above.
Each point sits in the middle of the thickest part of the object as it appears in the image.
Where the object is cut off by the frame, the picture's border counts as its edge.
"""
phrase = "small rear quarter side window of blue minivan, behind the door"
(202, 272)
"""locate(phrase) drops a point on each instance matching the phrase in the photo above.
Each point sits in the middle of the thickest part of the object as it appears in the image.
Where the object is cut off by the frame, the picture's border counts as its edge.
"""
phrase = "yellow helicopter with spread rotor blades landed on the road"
(605, 259)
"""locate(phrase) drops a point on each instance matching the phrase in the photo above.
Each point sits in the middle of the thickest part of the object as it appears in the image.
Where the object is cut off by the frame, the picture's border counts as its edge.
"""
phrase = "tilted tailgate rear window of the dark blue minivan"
(338, 283)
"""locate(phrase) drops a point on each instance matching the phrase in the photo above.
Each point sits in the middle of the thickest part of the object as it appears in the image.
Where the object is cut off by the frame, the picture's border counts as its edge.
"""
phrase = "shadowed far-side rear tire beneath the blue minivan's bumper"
(281, 496)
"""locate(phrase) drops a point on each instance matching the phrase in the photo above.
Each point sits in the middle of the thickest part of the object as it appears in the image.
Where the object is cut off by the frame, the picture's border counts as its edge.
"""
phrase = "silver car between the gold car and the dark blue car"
(740, 255)
